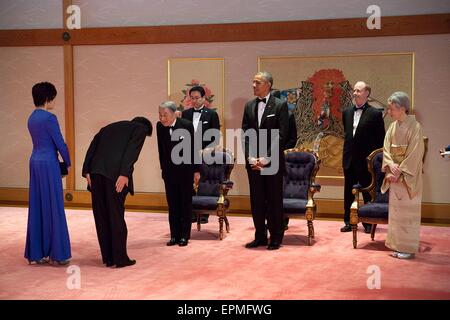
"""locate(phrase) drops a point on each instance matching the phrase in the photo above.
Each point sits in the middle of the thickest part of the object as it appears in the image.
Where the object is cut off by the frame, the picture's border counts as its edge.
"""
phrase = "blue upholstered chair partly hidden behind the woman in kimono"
(377, 211)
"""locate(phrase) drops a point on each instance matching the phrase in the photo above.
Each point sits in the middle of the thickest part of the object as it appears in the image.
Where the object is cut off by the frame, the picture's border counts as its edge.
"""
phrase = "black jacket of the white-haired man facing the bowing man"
(170, 171)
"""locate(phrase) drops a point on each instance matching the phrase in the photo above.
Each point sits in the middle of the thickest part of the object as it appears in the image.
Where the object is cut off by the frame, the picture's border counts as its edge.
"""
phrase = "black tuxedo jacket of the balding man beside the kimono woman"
(369, 135)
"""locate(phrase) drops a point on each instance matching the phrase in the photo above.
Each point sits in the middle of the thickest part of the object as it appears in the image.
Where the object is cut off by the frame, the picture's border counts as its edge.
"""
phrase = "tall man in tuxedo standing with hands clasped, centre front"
(267, 119)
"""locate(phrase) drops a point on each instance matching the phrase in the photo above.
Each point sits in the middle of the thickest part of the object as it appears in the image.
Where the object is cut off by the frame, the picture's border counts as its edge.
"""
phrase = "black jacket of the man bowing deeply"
(114, 150)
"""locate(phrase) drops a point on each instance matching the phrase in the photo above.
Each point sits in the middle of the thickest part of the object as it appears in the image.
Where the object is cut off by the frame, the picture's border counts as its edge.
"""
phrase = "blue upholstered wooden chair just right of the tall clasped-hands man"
(299, 186)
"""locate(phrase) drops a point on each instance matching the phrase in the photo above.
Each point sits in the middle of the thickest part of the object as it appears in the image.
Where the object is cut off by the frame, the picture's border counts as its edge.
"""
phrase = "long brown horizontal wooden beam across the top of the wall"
(261, 31)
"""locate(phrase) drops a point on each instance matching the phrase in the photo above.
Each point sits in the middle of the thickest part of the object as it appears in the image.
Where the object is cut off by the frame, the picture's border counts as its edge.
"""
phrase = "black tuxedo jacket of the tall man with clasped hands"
(275, 116)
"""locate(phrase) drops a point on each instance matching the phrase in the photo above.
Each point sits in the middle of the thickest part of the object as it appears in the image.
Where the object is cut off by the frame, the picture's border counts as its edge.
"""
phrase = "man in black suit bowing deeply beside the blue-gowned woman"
(108, 168)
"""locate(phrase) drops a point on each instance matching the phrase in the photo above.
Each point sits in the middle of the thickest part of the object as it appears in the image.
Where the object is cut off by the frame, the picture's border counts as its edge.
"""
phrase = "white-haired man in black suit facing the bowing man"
(179, 172)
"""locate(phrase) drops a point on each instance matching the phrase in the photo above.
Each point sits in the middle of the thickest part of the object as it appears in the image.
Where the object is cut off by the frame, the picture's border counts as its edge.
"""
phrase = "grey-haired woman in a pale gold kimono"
(402, 162)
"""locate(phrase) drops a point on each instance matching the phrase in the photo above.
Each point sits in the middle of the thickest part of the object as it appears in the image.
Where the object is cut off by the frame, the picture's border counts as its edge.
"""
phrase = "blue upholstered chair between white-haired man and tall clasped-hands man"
(211, 192)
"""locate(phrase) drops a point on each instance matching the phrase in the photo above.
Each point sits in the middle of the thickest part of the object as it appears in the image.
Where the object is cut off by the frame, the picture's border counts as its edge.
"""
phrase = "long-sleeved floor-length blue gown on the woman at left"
(47, 233)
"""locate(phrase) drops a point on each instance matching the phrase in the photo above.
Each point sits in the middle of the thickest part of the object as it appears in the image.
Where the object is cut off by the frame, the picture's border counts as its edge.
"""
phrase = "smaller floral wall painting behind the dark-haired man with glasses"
(184, 73)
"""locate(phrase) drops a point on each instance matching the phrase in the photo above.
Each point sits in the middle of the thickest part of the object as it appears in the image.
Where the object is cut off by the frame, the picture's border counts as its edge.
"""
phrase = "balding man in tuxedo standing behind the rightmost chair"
(364, 132)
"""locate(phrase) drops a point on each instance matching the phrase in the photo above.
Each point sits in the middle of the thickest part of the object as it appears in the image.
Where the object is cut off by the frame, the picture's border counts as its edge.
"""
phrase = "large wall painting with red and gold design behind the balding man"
(319, 89)
